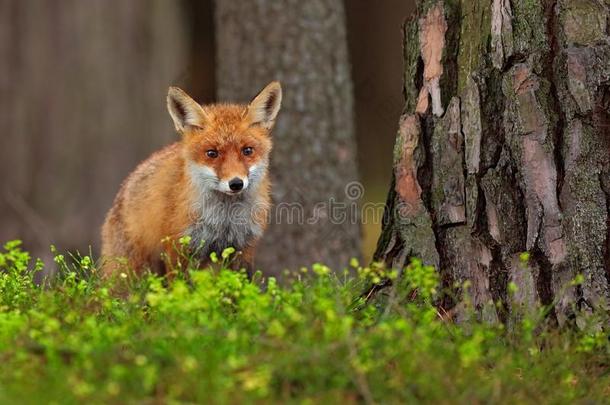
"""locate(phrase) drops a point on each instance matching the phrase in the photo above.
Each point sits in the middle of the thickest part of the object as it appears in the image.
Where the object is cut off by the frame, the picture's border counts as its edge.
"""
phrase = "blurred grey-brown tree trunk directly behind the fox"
(302, 44)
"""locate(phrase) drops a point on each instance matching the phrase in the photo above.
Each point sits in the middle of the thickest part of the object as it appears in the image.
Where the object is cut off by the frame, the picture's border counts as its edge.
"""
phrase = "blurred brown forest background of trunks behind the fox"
(82, 101)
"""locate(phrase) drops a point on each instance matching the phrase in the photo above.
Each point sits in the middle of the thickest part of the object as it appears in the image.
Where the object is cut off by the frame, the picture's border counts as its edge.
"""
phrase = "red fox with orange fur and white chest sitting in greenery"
(211, 186)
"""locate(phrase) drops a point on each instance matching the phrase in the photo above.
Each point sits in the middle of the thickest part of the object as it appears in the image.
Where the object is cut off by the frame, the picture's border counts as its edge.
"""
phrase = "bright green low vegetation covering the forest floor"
(216, 337)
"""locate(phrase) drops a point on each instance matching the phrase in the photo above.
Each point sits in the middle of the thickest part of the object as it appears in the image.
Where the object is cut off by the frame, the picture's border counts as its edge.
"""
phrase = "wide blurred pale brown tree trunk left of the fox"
(83, 89)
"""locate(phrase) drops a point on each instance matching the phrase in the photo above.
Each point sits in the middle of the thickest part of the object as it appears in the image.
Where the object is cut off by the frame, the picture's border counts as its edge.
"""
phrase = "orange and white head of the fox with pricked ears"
(226, 146)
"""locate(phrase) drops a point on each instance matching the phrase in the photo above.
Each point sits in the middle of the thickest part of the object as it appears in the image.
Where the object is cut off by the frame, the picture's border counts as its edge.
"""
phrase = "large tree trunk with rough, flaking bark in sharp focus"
(504, 147)
